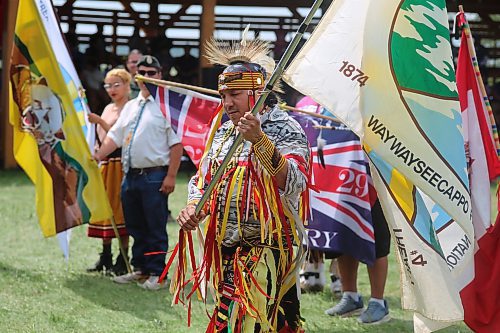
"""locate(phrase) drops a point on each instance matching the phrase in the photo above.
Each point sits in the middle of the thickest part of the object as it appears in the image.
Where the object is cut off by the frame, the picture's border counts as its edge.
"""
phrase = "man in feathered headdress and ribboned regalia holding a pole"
(256, 211)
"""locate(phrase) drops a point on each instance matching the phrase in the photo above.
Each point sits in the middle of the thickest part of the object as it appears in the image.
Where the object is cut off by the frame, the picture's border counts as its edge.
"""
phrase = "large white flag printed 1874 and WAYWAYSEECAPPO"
(388, 74)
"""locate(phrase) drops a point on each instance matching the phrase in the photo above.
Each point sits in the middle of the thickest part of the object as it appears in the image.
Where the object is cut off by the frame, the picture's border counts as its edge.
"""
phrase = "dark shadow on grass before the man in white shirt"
(128, 298)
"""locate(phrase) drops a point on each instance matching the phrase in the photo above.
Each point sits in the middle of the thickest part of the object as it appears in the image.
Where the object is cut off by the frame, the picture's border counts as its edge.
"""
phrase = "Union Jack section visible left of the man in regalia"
(190, 114)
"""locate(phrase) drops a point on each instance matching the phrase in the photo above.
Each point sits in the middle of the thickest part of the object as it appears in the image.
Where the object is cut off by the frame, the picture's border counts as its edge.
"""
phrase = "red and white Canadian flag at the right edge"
(480, 298)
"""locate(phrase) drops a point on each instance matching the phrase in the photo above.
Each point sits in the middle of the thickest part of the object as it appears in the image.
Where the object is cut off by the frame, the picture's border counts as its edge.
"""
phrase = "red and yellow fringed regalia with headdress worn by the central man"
(253, 279)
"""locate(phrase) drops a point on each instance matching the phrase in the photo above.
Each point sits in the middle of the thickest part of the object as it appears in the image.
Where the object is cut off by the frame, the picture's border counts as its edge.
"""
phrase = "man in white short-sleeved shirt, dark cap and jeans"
(151, 154)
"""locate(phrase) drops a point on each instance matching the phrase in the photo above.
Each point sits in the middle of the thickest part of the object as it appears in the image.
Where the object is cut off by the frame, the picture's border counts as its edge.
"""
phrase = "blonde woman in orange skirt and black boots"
(117, 85)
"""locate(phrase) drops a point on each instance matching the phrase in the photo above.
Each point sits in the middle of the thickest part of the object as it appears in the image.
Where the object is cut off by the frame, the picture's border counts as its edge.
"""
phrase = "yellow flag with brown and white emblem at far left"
(47, 116)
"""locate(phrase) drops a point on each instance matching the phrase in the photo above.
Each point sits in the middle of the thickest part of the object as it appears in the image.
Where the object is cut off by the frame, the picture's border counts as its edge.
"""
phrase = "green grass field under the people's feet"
(41, 292)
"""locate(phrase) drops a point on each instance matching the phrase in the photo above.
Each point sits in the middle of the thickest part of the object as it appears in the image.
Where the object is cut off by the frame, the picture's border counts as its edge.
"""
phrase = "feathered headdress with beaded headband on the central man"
(248, 63)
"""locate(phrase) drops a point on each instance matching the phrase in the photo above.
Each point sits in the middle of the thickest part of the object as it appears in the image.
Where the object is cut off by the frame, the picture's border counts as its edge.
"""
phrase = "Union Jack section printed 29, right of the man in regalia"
(341, 219)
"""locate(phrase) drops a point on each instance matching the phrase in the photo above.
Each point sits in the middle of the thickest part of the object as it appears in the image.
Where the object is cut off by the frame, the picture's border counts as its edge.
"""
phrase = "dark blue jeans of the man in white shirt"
(145, 210)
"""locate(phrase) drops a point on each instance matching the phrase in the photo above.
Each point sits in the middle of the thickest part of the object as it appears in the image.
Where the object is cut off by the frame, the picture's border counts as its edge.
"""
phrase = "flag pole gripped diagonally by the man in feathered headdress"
(280, 67)
